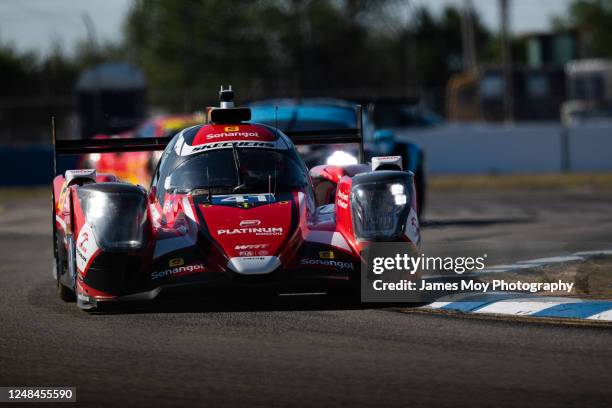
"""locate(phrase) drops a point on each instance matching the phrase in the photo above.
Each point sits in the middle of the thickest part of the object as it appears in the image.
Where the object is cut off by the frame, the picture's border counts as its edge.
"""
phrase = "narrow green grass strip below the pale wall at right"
(558, 181)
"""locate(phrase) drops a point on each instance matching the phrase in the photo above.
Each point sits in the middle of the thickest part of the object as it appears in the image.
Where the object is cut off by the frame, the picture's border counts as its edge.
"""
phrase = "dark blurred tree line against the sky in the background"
(346, 48)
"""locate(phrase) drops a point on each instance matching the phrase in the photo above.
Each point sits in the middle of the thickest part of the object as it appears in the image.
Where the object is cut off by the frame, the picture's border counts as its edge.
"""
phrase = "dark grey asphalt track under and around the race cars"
(311, 351)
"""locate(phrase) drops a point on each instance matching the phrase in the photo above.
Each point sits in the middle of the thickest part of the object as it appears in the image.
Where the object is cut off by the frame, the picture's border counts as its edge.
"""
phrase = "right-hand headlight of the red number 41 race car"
(380, 203)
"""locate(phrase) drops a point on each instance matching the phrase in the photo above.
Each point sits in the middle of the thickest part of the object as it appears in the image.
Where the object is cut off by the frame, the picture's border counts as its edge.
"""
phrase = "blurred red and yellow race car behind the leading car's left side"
(137, 167)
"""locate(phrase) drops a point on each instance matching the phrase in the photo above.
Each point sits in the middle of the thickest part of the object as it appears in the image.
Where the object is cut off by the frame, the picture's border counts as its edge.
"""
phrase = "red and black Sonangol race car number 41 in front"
(231, 204)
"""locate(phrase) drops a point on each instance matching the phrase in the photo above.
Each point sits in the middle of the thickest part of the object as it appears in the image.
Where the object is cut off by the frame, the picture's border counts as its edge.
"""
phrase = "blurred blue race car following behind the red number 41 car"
(336, 114)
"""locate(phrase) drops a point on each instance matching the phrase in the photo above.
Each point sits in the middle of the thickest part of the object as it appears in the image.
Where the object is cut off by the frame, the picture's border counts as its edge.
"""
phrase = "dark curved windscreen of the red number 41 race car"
(239, 170)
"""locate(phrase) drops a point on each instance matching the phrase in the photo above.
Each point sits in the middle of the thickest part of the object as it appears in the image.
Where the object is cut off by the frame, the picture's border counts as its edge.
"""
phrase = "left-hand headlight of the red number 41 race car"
(116, 219)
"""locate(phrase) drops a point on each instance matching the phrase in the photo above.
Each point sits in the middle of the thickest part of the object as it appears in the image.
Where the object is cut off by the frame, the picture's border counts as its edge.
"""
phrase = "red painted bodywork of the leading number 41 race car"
(205, 237)
